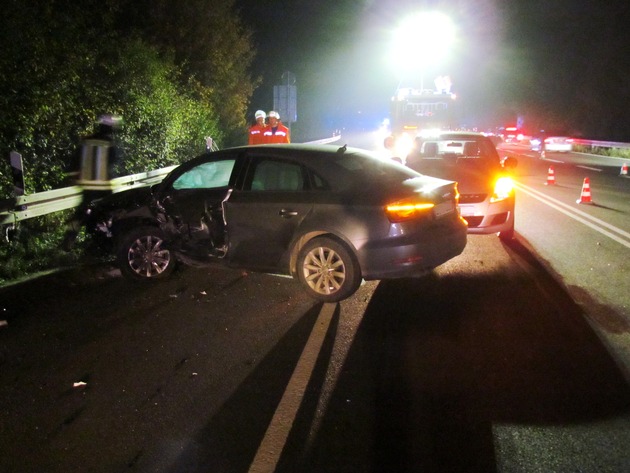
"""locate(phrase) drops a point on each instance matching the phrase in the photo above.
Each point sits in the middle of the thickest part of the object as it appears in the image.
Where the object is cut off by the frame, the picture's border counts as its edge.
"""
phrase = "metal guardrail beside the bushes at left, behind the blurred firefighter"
(42, 203)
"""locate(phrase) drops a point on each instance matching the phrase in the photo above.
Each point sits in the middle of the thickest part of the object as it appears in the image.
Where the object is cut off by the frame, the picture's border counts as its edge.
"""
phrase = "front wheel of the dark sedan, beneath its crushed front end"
(142, 255)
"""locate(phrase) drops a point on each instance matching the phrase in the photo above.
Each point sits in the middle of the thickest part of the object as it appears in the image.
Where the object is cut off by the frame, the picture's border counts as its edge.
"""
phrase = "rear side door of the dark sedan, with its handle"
(263, 216)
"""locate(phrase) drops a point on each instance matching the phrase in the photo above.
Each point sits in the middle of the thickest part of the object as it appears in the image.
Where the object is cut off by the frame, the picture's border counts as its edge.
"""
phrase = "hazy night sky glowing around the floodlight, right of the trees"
(557, 64)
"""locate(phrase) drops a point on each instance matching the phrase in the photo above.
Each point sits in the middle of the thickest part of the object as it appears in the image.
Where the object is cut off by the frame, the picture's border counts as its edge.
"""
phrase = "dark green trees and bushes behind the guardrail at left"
(175, 71)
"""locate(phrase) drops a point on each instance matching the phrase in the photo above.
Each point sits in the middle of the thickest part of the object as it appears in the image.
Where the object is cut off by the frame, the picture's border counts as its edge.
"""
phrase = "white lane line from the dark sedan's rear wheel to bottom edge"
(275, 438)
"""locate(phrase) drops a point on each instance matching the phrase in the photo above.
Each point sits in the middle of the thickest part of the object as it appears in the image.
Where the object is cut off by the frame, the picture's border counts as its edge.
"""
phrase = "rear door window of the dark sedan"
(277, 175)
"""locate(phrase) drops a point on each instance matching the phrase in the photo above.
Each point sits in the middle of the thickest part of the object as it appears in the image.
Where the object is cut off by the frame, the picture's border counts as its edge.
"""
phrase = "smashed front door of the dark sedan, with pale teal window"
(193, 205)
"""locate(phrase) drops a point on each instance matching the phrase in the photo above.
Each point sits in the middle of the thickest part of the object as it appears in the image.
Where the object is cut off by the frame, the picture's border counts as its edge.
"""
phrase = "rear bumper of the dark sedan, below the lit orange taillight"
(414, 255)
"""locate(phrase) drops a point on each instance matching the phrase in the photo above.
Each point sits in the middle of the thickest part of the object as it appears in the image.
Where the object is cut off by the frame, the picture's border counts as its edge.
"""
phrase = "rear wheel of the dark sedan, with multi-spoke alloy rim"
(328, 270)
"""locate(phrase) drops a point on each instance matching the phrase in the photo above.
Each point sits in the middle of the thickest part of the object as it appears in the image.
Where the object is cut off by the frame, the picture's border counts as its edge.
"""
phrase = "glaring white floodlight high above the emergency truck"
(422, 39)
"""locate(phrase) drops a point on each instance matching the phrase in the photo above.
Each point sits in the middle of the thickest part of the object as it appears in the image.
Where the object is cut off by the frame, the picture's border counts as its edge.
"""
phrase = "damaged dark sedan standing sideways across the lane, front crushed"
(328, 216)
